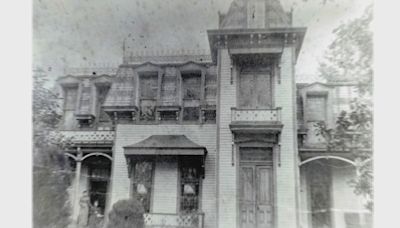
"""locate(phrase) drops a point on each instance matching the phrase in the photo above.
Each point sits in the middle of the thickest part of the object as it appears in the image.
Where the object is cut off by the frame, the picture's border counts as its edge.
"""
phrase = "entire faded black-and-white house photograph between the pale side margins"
(202, 114)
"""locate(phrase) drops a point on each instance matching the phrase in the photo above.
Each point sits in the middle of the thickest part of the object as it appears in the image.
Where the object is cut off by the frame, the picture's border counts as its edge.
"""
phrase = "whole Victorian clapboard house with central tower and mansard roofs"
(218, 139)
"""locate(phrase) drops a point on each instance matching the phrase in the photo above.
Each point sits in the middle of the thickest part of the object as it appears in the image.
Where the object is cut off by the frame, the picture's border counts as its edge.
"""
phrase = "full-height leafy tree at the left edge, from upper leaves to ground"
(50, 167)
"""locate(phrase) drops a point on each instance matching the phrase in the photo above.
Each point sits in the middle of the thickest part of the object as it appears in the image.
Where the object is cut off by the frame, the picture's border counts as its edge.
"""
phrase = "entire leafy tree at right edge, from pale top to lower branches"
(349, 59)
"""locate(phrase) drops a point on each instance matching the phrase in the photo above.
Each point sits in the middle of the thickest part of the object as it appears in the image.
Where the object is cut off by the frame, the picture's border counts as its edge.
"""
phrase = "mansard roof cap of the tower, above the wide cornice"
(255, 14)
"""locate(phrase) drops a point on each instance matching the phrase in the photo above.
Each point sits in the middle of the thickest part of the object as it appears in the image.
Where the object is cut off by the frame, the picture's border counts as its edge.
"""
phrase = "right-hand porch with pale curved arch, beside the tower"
(327, 199)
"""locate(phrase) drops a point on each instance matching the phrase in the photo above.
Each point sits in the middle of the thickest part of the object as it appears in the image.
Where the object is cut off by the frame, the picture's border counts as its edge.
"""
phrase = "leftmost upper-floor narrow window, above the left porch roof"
(70, 99)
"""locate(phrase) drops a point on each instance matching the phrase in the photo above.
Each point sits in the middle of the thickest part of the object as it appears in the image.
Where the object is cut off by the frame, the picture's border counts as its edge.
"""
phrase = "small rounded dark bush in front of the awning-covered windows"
(126, 214)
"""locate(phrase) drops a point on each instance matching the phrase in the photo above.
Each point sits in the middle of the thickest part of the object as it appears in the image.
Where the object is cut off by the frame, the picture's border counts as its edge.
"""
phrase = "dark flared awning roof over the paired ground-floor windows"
(165, 145)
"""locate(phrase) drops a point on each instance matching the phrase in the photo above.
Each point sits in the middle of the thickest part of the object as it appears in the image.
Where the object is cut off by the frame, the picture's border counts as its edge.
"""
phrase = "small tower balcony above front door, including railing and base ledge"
(256, 120)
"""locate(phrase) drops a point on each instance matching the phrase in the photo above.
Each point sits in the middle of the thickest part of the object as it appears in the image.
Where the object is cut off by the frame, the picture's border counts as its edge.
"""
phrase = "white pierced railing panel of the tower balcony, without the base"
(255, 115)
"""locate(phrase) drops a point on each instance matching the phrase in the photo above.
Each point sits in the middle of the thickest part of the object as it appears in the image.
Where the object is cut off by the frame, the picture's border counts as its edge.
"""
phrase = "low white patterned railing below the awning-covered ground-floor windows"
(158, 220)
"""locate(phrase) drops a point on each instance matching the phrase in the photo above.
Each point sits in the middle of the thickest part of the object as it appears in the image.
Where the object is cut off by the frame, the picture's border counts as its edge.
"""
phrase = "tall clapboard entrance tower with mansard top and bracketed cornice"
(256, 46)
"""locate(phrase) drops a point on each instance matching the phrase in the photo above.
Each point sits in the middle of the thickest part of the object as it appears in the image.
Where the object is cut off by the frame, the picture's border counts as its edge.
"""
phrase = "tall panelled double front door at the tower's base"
(256, 204)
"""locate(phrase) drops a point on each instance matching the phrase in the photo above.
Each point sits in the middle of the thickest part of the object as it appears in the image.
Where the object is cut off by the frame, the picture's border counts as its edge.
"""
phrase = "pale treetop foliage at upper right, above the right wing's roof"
(350, 55)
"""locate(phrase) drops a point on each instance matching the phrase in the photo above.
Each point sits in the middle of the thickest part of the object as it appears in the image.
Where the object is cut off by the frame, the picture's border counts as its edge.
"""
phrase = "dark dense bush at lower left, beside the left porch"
(51, 208)
